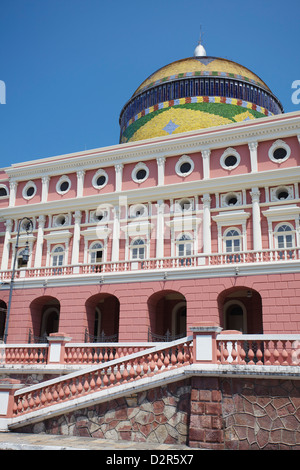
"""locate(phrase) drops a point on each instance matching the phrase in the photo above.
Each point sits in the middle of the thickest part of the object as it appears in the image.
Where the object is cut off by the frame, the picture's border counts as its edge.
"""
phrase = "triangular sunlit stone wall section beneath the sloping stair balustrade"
(158, 415)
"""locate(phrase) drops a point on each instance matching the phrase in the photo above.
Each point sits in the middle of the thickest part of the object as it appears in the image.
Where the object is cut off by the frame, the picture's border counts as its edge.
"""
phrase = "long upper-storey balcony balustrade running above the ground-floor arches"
(195, 261)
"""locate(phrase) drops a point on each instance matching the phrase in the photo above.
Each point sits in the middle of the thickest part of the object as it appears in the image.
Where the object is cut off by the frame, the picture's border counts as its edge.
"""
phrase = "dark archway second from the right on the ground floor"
(167, 315)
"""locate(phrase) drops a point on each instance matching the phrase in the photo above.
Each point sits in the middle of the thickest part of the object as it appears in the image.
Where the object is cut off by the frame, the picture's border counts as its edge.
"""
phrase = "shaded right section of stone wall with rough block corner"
(243, 414)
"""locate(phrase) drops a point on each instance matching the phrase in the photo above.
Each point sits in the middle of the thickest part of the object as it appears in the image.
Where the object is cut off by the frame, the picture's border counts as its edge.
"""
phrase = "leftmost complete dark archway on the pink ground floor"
(45, 313)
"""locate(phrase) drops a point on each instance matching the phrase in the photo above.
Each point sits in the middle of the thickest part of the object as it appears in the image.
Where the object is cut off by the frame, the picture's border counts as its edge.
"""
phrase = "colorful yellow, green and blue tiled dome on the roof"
(195, 93)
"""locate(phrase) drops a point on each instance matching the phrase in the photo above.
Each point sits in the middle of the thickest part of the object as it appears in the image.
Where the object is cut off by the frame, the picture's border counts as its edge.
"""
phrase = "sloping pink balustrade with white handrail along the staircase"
(119, 371)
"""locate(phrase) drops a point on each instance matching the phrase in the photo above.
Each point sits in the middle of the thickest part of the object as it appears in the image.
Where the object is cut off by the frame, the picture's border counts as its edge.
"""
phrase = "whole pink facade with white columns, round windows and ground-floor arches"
(131, 244)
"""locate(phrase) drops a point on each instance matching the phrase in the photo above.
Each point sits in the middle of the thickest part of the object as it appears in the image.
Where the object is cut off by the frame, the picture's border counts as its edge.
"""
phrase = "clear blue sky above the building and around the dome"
(69, 66)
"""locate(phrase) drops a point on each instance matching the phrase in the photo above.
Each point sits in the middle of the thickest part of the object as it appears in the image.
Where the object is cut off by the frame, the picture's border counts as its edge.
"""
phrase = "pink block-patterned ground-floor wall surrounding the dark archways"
(279, 294)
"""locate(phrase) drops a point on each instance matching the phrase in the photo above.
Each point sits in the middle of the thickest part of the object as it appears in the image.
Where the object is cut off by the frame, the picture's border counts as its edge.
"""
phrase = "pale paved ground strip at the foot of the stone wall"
(17, 441)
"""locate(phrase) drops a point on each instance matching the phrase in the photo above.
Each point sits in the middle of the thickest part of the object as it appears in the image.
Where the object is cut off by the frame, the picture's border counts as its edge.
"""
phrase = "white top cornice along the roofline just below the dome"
(283, 125)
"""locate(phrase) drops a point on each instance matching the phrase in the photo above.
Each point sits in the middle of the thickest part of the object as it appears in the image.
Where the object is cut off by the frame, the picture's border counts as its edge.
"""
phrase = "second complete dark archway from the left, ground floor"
(103, 311)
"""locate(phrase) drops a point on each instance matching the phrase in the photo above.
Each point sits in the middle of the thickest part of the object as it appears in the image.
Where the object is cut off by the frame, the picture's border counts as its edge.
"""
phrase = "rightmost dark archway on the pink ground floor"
(240, 309)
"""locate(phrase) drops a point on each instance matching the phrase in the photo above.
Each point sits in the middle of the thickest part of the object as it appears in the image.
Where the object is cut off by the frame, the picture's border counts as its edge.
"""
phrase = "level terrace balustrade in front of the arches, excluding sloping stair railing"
(234, 349)
